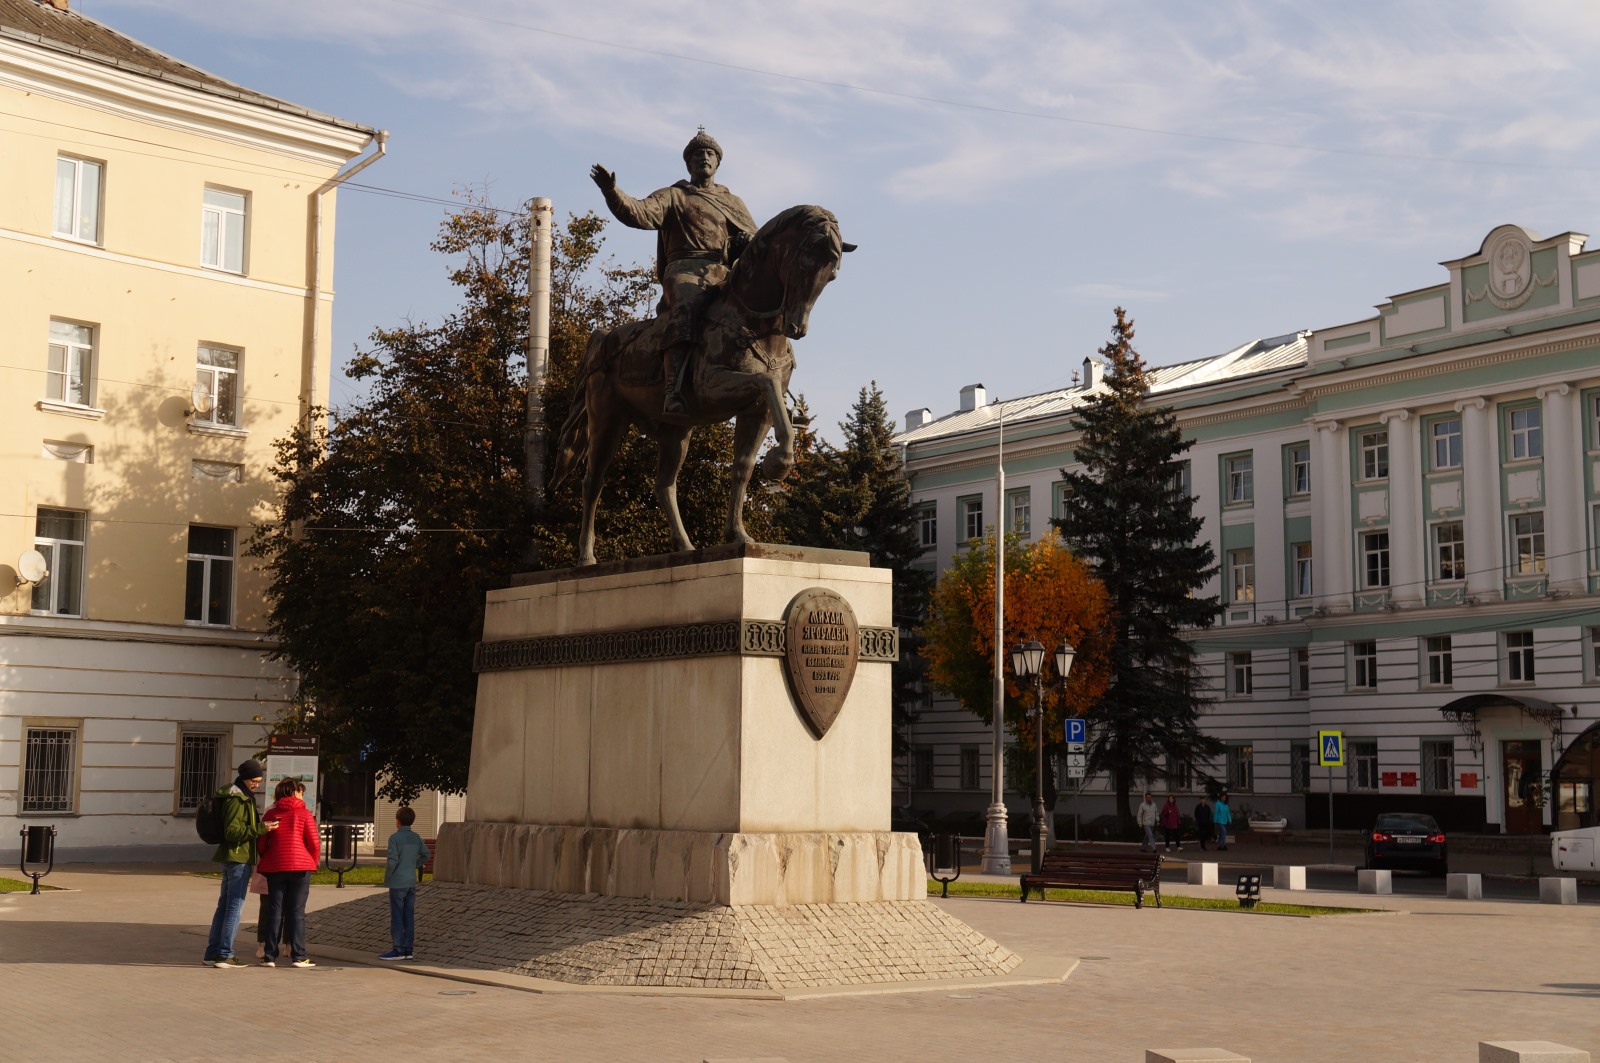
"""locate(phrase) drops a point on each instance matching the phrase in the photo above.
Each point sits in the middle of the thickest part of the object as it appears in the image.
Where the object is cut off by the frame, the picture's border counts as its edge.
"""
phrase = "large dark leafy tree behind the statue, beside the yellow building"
(402, 511)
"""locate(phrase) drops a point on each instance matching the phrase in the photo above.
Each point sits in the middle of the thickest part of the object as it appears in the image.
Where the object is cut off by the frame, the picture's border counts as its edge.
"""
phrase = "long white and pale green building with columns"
(1407, 518)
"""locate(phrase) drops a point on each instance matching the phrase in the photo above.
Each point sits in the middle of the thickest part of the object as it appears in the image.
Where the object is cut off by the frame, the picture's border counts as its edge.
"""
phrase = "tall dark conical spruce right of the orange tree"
(1130, 519)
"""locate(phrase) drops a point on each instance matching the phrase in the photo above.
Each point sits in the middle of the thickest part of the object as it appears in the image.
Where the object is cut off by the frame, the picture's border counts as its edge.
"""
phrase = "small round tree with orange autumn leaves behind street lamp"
(1049, 596)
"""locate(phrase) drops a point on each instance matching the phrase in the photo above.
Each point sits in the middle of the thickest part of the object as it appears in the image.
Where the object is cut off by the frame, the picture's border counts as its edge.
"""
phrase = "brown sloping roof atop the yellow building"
(71, 33)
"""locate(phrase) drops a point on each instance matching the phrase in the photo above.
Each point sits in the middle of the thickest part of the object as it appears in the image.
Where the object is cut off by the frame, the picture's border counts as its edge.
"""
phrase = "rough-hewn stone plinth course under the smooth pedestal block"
(697, 867)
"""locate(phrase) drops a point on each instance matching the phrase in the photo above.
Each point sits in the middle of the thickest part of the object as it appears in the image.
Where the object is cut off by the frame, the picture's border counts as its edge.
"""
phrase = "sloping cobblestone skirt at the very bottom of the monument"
(626, 942)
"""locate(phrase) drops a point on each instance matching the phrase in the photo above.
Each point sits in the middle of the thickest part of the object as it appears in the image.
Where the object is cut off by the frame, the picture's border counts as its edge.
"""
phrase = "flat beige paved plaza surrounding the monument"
(110, 973)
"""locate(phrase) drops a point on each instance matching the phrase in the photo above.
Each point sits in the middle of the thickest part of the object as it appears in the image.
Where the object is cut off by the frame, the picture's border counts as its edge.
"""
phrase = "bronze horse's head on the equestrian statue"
(790, 263)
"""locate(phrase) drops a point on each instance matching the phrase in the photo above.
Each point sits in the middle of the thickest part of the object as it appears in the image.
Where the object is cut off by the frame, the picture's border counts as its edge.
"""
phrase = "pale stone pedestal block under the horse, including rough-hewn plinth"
(638, 736)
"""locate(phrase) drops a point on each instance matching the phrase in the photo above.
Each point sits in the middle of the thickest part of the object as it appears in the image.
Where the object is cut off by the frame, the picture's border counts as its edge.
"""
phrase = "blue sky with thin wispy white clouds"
(1010, 170)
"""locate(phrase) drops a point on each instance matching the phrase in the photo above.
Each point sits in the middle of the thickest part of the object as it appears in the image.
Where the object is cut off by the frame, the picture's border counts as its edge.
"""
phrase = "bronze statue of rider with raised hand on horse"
(734, 297)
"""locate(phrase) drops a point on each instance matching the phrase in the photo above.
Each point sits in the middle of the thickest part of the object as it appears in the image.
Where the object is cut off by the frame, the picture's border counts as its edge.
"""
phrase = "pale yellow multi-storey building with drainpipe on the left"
(167, 246)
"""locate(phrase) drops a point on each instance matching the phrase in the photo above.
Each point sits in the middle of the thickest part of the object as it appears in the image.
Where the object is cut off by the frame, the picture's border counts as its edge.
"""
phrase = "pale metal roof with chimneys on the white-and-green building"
(1252, 359)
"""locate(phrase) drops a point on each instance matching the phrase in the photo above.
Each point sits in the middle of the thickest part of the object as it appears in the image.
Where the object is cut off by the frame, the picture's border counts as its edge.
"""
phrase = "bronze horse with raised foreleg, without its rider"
(740, 372)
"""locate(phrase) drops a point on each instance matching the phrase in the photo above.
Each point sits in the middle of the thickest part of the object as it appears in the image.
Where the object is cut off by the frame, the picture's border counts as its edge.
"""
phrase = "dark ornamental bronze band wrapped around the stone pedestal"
(724, 638)
